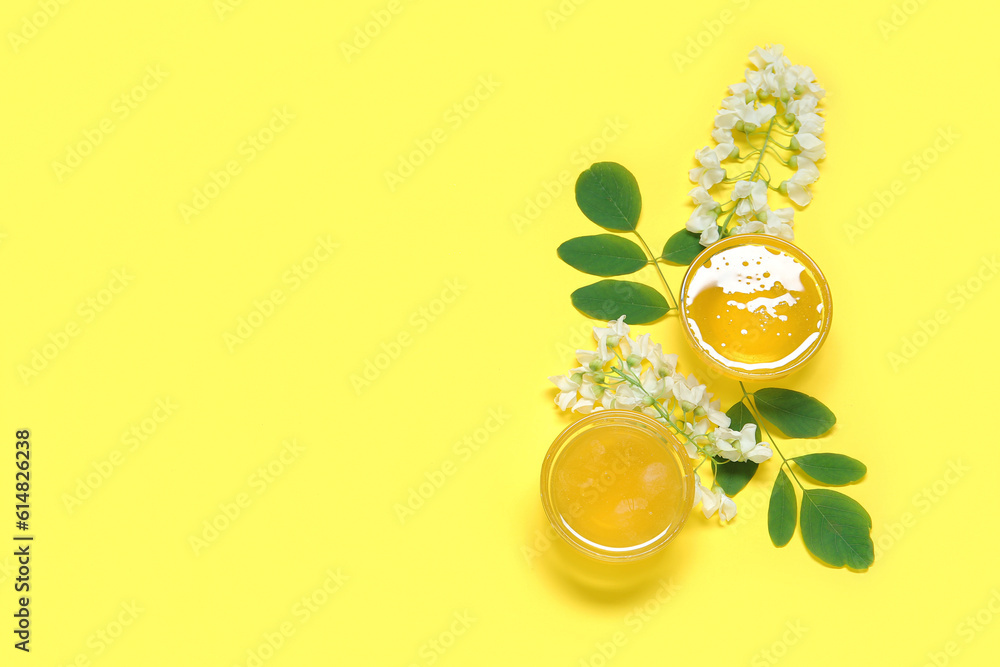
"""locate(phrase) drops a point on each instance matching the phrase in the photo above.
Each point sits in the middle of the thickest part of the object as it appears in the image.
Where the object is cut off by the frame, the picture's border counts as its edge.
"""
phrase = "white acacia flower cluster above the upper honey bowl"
(752, 109)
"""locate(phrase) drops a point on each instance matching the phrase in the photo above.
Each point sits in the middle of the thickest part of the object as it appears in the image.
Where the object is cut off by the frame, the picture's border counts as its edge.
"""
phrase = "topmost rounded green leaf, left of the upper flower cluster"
(608, 194)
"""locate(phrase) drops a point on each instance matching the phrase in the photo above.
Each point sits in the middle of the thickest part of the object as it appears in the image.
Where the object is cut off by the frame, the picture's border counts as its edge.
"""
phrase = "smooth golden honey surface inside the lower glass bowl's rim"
(617, 487)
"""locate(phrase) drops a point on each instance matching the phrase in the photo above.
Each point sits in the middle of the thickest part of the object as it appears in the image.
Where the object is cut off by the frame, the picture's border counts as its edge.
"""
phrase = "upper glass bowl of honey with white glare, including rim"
(755, 307)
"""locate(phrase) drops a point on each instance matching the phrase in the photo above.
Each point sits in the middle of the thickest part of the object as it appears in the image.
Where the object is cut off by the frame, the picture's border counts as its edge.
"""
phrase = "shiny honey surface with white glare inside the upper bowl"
(754, 308)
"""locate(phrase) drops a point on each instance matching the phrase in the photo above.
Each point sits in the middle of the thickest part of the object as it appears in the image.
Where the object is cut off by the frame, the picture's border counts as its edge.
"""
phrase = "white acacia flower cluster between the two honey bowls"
(634, 374)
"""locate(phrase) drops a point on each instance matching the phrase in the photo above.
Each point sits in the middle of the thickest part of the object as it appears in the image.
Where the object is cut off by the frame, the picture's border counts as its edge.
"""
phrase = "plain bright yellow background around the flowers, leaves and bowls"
(487, 345)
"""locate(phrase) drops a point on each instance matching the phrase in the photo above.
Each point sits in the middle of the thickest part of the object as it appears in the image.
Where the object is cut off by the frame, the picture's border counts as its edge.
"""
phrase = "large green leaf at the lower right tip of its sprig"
(837, 529)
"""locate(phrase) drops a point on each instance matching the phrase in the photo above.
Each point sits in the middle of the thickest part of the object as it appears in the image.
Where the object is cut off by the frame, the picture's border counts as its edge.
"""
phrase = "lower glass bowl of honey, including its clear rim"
(617, 485)
